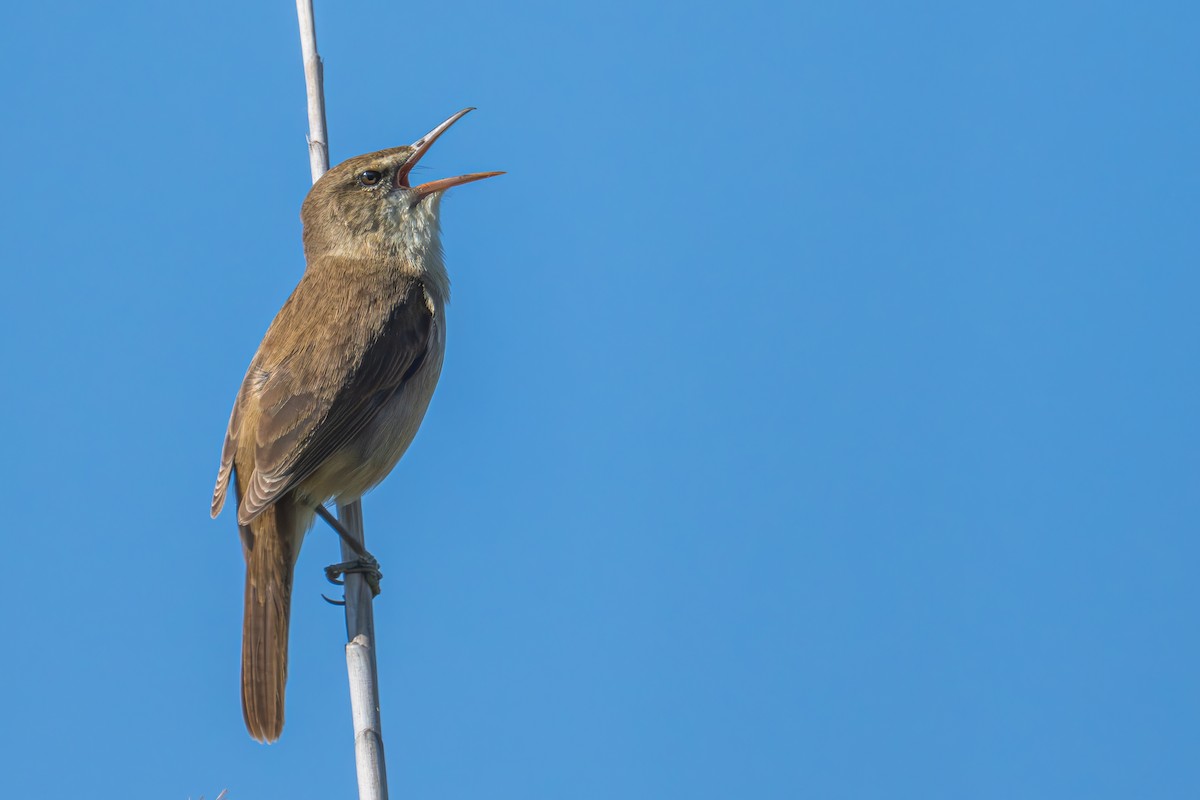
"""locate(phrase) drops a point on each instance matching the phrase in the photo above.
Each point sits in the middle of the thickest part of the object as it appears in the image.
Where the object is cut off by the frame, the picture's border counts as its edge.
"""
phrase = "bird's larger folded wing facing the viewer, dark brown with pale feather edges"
(301, 426)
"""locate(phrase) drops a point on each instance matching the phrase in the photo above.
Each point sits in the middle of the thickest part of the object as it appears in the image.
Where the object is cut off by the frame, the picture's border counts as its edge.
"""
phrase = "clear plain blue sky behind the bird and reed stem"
(819, 418)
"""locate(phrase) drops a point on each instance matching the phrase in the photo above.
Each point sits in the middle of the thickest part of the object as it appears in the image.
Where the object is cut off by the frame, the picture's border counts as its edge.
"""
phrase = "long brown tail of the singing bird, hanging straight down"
(271, 543)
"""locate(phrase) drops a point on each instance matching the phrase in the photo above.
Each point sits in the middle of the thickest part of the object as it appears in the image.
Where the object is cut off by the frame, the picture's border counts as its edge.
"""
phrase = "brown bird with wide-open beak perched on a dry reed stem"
(339, 387)
